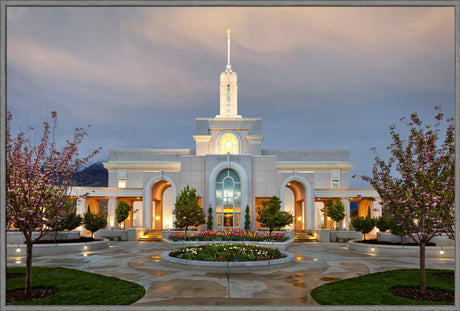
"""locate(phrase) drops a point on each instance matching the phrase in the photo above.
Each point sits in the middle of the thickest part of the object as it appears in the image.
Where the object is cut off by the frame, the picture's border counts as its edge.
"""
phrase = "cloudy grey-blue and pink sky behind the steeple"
(319, 77)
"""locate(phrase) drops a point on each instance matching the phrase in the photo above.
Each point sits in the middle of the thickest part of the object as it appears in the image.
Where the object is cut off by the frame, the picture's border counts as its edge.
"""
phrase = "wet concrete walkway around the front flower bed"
(315, 264)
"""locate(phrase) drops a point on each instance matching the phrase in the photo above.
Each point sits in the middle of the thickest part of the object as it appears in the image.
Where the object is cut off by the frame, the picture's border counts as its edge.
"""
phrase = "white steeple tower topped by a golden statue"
(228, 88)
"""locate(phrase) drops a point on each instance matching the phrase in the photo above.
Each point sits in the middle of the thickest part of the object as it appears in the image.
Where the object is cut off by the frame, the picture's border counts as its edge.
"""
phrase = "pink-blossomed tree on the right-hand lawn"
(417, 183)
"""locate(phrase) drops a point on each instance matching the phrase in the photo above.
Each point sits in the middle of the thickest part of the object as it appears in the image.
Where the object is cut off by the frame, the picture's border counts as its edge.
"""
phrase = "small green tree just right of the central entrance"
(270, 215)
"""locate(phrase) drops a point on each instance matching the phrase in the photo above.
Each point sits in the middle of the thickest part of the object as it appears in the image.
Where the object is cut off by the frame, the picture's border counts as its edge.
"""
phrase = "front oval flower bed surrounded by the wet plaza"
(227, 253)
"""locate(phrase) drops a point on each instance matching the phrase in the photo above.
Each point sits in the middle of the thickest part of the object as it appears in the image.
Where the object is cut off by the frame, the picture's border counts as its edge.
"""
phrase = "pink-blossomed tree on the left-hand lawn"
(39, 181)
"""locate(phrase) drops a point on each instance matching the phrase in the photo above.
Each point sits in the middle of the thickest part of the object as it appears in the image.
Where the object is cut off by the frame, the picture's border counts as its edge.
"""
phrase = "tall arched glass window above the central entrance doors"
(228, 200)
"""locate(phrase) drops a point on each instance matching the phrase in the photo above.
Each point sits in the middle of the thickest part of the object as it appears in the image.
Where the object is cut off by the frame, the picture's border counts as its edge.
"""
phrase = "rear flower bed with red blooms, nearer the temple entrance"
(229, 235)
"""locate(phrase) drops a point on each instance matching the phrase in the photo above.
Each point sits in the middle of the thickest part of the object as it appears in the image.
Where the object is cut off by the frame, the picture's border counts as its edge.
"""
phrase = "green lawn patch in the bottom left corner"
(76, 287)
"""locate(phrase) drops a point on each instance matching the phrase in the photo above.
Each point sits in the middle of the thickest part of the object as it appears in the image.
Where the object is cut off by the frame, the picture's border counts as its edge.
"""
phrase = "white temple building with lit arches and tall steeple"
(230, 170)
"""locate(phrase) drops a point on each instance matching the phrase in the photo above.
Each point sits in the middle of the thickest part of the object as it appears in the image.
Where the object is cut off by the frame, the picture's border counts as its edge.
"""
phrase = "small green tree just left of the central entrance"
(187, 211)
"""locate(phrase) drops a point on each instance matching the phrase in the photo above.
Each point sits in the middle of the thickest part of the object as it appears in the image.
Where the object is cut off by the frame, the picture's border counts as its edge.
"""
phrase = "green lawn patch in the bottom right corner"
(374, 289)
